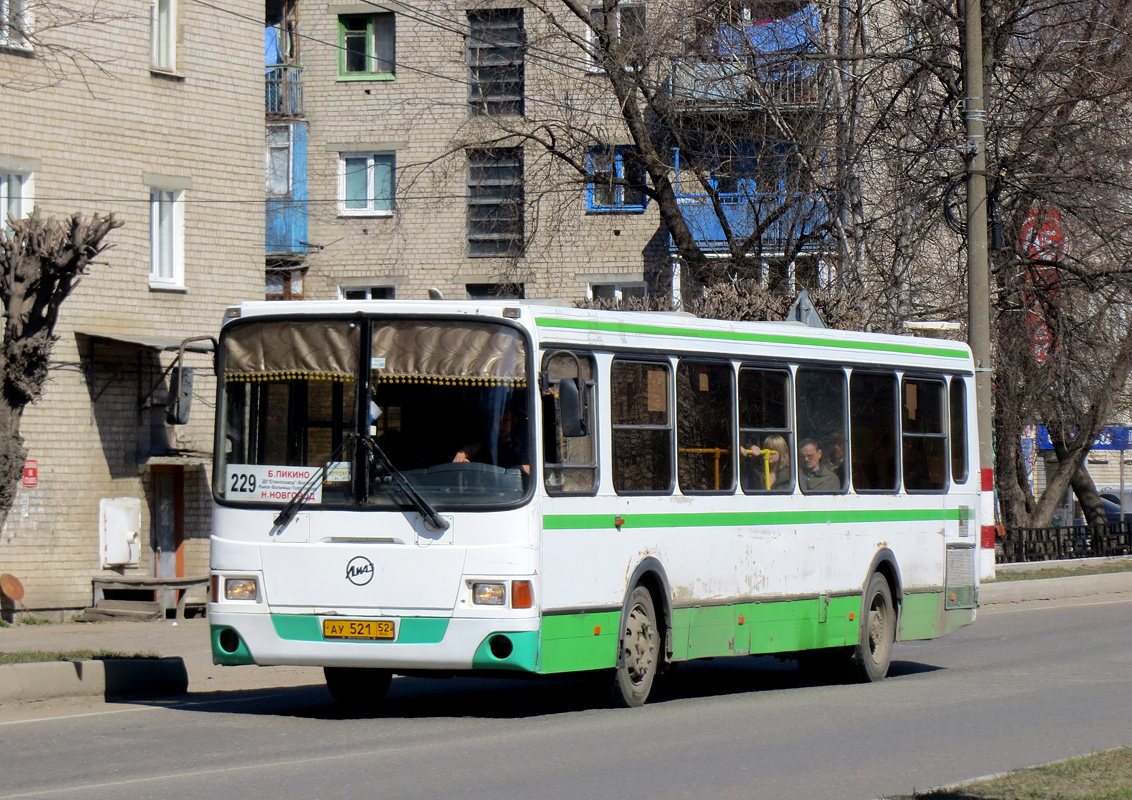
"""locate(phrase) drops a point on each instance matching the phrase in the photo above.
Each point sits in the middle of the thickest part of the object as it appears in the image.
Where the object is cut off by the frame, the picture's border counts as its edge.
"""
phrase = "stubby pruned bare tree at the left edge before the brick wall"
(41, 263)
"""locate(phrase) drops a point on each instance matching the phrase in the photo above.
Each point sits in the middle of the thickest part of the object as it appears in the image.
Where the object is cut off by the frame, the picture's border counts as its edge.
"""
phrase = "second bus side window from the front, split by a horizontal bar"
(642, 427)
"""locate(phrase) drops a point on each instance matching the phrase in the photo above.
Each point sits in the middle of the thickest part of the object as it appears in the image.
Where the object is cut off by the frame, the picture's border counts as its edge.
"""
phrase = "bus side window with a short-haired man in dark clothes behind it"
(820, 399)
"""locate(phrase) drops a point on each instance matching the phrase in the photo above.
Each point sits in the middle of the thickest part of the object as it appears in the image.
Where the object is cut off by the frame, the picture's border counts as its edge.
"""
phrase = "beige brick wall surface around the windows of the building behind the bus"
(423, 116)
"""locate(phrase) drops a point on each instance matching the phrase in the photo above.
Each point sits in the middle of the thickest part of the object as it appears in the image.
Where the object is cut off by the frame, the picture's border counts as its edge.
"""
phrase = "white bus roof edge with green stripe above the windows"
(554, 323)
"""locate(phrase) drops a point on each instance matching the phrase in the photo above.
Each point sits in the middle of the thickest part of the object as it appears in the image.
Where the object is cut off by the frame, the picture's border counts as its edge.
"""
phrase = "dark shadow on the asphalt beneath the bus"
(414, 698)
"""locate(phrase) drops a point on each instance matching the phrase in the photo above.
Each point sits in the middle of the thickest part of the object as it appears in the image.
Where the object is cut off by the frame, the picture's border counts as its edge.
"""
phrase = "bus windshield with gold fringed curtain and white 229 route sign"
(348, 412)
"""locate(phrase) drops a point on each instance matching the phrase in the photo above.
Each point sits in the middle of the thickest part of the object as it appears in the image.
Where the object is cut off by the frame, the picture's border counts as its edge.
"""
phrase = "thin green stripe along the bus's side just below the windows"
(579, 522)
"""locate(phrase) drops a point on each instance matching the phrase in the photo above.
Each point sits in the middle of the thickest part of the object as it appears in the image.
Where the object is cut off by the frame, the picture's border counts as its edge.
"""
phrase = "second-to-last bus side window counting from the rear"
(925, 441)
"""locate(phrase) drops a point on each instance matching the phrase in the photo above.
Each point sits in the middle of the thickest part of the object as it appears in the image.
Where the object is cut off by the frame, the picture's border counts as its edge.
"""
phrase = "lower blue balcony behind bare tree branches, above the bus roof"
(796, 229)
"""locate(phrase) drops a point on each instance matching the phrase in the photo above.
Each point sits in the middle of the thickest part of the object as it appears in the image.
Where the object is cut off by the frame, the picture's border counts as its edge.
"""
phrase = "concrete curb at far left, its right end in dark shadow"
(109, 678)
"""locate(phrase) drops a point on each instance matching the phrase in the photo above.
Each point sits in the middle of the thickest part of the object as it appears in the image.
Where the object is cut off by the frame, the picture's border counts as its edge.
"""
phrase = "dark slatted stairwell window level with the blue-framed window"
(495, 203)
